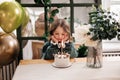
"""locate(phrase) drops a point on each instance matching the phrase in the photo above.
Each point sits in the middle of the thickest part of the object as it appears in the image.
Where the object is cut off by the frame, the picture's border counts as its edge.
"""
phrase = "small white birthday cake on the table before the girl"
(62, 60)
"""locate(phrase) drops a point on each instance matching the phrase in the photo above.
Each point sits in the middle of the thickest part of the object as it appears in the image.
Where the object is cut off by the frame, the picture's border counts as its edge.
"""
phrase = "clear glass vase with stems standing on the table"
(94, 56)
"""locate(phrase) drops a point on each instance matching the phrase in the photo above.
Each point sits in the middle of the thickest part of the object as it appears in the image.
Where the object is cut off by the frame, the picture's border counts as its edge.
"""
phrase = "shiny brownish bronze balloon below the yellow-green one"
(9, 48)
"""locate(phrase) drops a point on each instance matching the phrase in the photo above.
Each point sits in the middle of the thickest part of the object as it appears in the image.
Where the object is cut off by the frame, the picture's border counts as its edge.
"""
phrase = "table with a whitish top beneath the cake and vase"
(43, 70)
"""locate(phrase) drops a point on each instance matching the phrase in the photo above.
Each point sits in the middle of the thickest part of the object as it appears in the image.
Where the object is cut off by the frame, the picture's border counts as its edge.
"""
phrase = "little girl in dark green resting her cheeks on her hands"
(59, 38)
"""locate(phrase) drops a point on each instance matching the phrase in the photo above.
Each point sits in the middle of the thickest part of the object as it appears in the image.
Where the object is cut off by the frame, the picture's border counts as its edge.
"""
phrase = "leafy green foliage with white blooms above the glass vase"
(104, 24)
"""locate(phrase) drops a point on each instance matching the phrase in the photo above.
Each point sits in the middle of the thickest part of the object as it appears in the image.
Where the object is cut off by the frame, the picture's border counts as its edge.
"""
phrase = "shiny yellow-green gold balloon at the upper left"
(11, 15)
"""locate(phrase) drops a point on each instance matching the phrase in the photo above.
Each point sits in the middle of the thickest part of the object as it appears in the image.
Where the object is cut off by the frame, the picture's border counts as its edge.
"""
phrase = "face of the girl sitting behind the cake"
(59, 34)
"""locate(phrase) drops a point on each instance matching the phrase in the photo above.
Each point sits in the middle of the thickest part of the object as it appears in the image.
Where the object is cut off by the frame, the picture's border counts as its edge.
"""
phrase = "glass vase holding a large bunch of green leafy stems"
(104, 26)
